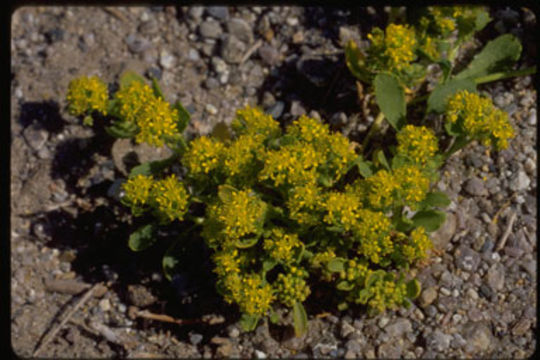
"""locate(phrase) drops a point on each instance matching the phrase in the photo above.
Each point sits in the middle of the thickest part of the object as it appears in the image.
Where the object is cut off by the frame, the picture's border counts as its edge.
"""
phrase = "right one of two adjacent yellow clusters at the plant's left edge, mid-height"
(171, 198)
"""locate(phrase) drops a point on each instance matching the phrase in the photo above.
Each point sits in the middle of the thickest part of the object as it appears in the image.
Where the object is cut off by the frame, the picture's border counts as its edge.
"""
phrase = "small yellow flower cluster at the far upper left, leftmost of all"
(86, 94)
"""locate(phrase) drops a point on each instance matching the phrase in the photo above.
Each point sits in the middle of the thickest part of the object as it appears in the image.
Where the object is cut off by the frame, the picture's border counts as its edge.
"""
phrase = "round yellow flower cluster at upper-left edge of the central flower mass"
(203, 155)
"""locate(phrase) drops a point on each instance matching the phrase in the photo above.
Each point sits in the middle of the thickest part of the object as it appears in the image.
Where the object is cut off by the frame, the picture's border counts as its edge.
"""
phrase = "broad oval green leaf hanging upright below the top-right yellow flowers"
(390, 98)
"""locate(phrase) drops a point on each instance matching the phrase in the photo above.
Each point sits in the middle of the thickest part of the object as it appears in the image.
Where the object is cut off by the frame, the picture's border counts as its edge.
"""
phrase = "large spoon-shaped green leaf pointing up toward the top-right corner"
(497, 55)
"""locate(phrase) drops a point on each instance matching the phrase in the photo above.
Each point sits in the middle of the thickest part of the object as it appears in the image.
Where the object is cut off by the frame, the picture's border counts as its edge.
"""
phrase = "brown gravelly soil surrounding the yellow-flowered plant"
(68, 231)
